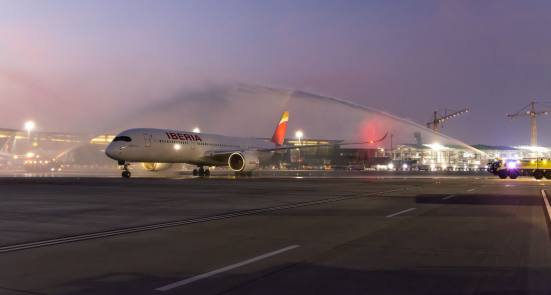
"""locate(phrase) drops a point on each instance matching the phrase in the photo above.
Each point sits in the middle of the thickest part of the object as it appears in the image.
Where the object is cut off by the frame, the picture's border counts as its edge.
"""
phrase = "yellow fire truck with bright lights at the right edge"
(536, 167)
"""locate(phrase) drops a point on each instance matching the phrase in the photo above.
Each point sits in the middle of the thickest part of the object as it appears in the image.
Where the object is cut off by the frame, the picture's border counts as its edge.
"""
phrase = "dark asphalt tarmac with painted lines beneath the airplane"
(391, 235)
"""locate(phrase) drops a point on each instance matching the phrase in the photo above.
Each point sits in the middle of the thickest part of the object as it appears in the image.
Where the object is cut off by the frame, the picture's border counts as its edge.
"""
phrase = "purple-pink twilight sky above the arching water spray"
(68, 64)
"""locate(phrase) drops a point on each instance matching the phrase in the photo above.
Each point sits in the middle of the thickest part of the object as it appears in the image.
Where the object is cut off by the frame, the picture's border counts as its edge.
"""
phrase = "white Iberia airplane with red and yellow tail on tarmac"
(162, 147)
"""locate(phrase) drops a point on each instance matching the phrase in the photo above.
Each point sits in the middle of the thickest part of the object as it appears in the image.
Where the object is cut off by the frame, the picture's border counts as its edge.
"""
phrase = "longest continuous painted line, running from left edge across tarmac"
(130, 230)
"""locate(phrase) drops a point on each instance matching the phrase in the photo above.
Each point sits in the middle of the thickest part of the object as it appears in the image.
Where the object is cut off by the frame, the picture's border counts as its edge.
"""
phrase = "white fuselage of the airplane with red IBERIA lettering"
(172, 146)
